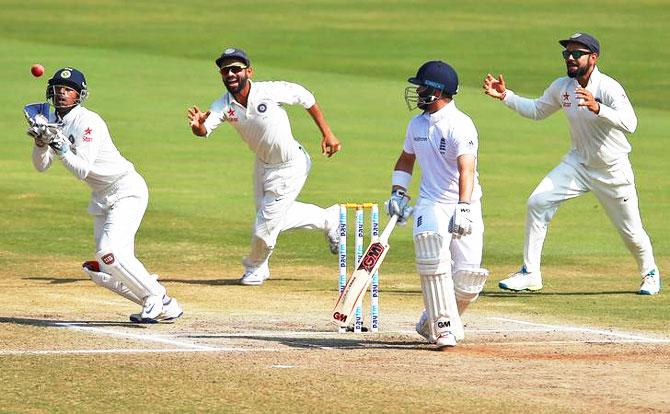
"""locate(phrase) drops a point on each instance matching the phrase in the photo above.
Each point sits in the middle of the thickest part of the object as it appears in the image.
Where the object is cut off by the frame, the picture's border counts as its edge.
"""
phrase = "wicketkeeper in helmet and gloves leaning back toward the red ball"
(80, 140)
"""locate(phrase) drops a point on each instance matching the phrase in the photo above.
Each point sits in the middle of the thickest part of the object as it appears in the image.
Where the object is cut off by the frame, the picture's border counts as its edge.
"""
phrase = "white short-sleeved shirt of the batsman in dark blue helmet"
(437, 140)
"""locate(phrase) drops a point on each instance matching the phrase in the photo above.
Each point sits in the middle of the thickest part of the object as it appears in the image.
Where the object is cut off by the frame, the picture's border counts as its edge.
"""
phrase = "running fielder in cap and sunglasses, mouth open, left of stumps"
(255, 110)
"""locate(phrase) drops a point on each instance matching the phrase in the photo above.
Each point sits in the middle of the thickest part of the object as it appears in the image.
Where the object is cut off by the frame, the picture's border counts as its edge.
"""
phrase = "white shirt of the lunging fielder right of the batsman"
(598, 140)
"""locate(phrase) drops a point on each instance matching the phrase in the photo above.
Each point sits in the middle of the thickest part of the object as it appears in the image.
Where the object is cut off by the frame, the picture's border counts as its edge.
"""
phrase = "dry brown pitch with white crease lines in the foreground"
(228, 353)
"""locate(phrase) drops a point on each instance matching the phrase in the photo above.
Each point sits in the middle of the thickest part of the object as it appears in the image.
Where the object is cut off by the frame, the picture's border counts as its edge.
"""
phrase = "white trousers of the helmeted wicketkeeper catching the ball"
(117, 213)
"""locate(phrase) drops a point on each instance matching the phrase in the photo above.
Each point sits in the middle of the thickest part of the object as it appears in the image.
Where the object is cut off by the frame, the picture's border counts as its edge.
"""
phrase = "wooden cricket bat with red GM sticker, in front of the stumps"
(360, 279)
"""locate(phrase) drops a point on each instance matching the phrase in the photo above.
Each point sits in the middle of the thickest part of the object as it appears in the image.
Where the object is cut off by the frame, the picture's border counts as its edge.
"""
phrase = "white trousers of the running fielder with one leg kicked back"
(276, 187)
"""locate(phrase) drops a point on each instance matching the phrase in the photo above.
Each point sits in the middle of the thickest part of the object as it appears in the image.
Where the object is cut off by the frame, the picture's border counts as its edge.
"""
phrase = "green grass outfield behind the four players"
(146, 62)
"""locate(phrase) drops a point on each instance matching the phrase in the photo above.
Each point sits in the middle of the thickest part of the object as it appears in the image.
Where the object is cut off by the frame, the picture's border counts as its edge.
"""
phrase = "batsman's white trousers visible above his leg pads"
(466, 252)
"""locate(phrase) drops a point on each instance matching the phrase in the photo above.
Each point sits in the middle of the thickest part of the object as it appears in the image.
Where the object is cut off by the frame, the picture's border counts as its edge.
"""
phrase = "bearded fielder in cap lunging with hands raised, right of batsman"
(600, 115)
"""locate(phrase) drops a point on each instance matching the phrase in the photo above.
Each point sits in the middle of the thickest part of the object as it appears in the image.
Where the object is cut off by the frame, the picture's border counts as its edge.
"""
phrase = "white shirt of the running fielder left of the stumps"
(264, 125)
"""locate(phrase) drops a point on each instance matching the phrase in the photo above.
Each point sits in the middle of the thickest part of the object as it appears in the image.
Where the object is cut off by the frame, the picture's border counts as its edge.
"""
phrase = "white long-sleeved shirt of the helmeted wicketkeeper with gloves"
(92, 157)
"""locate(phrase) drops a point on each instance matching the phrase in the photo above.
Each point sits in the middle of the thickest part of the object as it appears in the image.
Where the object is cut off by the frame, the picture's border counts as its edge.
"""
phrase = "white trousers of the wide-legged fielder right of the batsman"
(615, 190)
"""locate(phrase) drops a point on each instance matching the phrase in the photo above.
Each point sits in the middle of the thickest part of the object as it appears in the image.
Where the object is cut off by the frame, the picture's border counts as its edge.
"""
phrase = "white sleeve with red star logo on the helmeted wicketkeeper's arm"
(88, 148)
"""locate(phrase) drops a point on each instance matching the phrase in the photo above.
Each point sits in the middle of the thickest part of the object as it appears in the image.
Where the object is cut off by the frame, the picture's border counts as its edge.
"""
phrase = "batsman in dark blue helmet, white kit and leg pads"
(448, 225)
